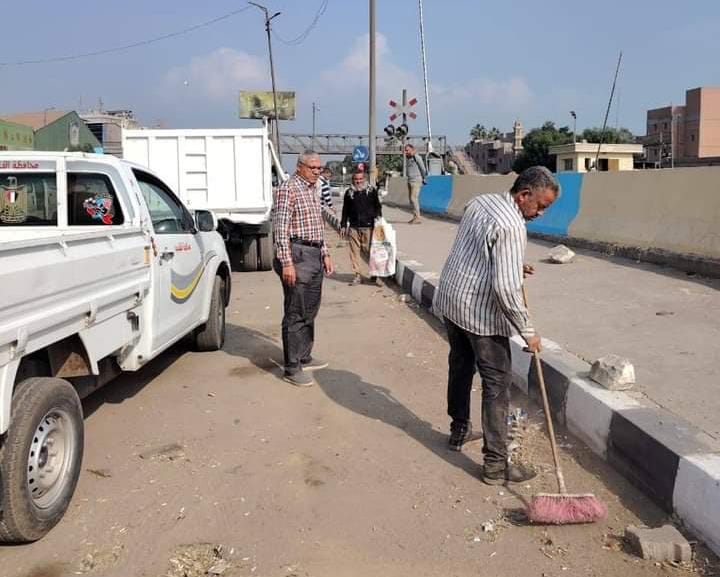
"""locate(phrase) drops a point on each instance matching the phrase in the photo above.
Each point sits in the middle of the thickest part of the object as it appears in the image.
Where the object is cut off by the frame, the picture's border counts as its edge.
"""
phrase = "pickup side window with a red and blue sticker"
(92, 200)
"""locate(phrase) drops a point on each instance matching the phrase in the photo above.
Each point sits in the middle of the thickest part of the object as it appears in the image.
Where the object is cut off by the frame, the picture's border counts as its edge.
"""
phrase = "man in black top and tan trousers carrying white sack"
(361, 206)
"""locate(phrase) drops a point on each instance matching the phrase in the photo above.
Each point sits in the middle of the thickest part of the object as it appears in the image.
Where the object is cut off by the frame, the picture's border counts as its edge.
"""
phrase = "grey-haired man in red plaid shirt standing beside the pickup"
(301, 257)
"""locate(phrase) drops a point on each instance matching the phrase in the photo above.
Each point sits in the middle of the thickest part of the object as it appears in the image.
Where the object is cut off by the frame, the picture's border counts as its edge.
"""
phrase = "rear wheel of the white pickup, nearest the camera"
(40, 458)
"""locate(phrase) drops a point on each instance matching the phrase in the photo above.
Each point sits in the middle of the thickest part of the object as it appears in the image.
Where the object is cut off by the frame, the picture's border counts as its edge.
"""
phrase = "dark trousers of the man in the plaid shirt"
(301, 305)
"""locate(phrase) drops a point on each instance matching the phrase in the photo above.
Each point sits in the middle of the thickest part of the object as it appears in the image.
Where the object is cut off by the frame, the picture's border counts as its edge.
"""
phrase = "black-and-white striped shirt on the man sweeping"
(480, 287)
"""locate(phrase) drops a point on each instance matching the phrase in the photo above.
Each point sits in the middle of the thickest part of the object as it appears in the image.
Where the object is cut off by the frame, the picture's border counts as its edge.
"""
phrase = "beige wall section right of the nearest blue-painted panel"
(675, 210)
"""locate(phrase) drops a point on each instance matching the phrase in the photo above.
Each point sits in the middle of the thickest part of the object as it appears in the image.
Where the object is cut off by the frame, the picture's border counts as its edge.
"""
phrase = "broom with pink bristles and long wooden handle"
(560, 508)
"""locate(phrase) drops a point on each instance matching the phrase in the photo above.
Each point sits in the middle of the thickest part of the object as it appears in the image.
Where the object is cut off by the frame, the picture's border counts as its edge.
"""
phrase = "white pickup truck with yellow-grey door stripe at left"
(101, 269)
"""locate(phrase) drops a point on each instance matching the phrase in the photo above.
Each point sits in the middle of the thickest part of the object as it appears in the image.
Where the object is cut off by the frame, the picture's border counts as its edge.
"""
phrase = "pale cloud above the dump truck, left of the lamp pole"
(219, 75)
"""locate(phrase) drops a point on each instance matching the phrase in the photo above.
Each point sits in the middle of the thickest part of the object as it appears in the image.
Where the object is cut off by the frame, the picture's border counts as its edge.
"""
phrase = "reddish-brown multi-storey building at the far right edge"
(685, 135)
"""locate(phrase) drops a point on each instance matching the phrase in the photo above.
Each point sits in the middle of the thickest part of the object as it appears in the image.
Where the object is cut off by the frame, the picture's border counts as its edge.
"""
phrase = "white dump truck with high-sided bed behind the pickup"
(228, 171)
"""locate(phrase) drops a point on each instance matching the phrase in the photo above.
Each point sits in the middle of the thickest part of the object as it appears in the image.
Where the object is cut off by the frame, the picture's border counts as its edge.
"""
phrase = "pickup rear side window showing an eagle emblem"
(28, 199)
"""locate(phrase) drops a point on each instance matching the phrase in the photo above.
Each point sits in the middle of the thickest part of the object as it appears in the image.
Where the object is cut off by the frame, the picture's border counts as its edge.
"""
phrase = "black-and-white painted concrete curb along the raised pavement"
(673, 462)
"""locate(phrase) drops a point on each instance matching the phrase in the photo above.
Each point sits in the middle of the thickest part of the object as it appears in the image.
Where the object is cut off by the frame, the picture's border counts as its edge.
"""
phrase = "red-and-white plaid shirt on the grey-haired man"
(296, 214)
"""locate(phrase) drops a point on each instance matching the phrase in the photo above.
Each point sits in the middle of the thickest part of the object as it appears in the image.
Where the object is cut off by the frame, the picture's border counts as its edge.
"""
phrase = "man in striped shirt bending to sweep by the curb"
(480, 296)
